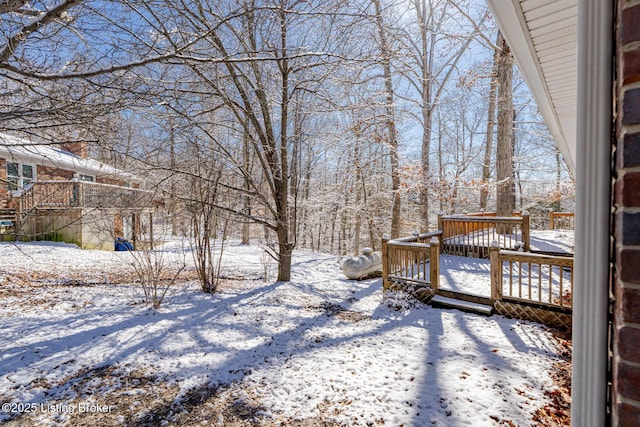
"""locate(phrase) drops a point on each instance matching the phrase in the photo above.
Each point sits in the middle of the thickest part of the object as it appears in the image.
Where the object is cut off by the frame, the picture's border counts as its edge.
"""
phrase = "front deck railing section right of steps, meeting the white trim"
(546, 280)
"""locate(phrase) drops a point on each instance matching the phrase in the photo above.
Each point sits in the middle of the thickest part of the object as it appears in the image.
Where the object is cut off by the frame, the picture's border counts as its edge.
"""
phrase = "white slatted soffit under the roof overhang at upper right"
(543, 37)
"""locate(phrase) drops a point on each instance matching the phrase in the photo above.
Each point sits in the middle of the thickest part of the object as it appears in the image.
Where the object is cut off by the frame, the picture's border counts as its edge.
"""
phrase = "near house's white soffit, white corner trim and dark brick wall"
(581, 59)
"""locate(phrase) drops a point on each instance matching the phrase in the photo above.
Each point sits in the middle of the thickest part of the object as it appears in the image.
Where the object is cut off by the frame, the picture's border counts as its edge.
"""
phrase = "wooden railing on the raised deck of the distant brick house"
(83, 194)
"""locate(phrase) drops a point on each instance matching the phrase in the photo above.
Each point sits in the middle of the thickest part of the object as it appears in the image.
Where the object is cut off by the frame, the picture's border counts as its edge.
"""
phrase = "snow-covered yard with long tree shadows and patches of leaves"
(78, 348)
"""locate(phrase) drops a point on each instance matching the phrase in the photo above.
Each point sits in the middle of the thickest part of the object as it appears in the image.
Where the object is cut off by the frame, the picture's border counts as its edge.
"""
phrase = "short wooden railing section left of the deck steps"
(412, 260)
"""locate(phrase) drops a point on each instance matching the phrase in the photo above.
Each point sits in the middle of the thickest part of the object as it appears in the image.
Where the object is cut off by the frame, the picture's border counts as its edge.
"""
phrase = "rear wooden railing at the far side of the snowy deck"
(471, 236)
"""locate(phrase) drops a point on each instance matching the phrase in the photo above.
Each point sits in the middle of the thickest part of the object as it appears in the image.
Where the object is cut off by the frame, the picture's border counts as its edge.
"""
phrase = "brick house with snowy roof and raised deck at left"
(54, 191)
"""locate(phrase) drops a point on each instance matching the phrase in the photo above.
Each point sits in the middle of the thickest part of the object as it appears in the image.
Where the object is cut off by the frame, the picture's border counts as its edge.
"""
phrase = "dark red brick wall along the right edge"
(626, 229)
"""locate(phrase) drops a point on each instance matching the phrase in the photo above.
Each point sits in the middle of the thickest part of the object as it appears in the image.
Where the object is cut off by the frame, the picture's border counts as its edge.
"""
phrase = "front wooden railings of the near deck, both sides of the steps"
(527, 285)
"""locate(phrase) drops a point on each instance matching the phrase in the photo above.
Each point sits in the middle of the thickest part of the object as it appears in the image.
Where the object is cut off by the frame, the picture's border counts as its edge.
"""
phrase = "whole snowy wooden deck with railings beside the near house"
(521, 284)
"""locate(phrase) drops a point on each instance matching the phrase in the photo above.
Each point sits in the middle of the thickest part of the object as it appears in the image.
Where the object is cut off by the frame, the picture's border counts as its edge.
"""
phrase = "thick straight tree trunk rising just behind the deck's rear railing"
(504, 158)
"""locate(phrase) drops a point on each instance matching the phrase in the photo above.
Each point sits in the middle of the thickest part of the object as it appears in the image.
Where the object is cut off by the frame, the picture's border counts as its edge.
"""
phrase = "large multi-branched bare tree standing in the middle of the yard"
(247, 69)
